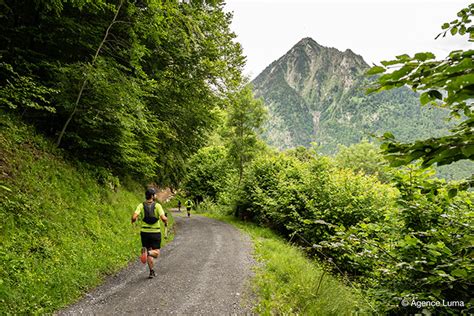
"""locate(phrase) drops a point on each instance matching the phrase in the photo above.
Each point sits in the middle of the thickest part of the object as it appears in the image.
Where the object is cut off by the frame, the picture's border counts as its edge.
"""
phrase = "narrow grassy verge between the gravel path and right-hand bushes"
(287, 282)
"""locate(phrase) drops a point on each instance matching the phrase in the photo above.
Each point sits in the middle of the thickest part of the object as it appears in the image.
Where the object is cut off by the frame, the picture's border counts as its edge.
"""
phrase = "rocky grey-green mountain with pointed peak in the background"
(317, 94)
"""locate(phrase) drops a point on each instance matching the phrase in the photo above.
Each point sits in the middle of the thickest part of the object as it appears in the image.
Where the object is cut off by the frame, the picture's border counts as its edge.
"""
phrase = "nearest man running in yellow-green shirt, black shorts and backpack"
(150, 231)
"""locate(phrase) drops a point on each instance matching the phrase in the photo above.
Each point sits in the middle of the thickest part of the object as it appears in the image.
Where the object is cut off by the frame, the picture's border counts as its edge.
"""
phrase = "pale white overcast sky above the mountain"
(375, 29)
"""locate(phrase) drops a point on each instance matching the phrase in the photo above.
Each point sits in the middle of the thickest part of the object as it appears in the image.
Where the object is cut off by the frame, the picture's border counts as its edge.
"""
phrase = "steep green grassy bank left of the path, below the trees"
(61, 232)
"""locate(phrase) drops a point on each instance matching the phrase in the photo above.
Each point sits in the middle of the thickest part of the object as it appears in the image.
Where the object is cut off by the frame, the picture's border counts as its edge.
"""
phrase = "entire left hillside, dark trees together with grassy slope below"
(97, 100)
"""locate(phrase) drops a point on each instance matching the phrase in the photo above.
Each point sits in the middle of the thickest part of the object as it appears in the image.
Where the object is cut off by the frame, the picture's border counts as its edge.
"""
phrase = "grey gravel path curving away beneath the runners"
(205, 270)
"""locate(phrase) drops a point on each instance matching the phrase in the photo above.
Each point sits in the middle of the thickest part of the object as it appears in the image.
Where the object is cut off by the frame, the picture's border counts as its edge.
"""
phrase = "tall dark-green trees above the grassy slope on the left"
(130, 86)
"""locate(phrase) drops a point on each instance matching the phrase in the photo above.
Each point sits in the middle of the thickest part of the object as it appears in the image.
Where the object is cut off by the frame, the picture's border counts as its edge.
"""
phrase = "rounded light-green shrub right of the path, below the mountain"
(311, 198)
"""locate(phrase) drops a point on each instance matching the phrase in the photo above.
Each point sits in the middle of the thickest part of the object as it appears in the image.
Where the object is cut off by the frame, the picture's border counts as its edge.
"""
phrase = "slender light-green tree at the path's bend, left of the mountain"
(245, 118)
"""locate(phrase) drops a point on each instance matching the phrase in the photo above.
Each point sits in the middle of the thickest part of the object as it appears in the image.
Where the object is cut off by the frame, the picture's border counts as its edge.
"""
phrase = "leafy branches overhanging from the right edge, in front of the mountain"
(447, 83)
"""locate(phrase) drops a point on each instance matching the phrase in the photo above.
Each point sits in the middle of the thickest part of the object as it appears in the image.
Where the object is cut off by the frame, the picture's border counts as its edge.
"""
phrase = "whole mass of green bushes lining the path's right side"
(408, 237)
